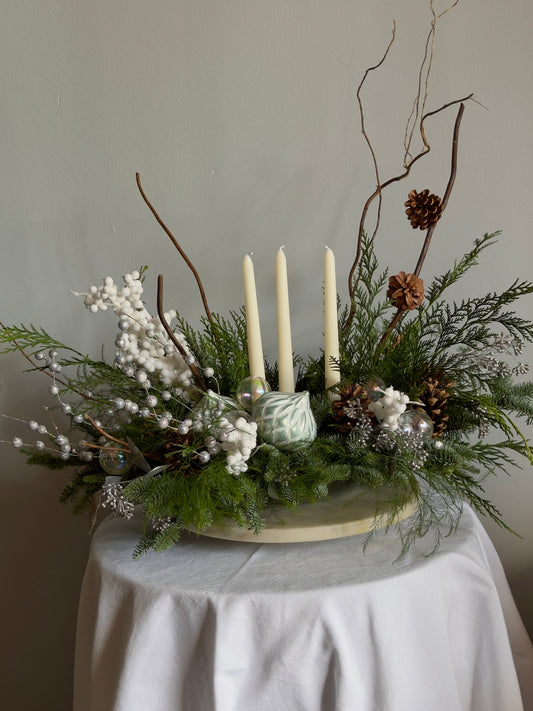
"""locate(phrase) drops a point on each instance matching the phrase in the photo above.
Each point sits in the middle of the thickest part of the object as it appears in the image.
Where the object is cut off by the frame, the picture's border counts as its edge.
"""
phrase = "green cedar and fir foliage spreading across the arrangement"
(436, 337)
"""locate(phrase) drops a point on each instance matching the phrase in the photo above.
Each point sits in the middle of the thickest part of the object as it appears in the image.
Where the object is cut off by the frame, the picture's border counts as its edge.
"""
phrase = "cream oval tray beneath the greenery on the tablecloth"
(347, 511)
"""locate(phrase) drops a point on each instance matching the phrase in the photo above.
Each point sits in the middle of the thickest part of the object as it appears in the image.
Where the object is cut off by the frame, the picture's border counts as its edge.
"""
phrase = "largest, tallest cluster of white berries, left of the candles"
(142, 342)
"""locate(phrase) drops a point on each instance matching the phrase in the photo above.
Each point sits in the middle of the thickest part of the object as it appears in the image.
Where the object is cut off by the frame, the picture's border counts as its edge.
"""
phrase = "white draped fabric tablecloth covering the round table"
(215, 625)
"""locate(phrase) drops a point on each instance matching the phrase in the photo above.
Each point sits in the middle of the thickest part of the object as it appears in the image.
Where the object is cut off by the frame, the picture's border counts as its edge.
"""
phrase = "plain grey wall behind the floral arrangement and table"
(240, 116)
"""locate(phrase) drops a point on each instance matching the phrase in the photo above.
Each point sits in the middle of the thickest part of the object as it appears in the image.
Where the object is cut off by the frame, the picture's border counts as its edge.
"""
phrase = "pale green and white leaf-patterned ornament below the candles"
(285, 419)
